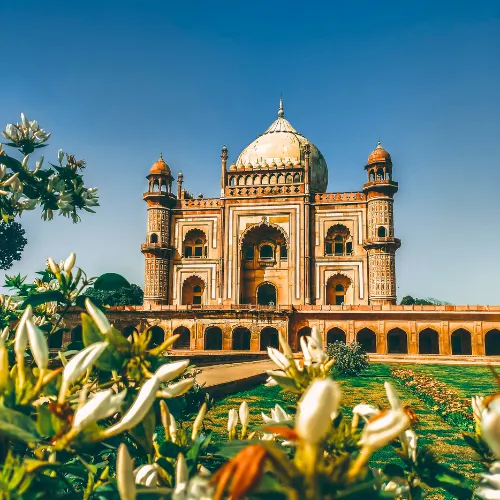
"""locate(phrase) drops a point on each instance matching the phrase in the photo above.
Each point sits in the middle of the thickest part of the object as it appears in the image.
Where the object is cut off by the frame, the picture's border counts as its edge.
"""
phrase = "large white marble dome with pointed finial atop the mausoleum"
(281, 143)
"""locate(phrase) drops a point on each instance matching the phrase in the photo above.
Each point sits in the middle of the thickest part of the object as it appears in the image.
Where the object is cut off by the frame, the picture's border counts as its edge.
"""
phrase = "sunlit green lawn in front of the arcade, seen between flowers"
(444, 440)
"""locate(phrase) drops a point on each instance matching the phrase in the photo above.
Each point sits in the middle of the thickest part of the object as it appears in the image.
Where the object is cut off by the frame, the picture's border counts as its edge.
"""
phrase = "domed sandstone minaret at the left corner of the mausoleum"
(157, 250)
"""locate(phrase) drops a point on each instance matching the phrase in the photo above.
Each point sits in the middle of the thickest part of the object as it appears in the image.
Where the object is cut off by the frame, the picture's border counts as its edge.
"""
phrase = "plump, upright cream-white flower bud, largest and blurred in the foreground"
(315, 410)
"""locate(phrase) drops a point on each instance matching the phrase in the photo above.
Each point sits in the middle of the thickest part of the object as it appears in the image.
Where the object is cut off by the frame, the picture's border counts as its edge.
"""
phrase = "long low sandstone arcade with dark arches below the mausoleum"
(255, 330)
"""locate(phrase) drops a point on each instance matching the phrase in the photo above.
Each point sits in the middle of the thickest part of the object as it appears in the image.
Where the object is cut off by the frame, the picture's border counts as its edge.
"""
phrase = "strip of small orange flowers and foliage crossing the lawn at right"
(439, 396)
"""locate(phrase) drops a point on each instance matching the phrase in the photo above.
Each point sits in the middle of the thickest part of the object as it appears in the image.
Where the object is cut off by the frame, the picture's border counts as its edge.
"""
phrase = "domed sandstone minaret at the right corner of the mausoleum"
(380, 242)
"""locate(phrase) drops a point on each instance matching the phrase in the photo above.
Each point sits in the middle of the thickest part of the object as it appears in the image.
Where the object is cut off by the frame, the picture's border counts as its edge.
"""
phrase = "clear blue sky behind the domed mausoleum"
(118, 82)
